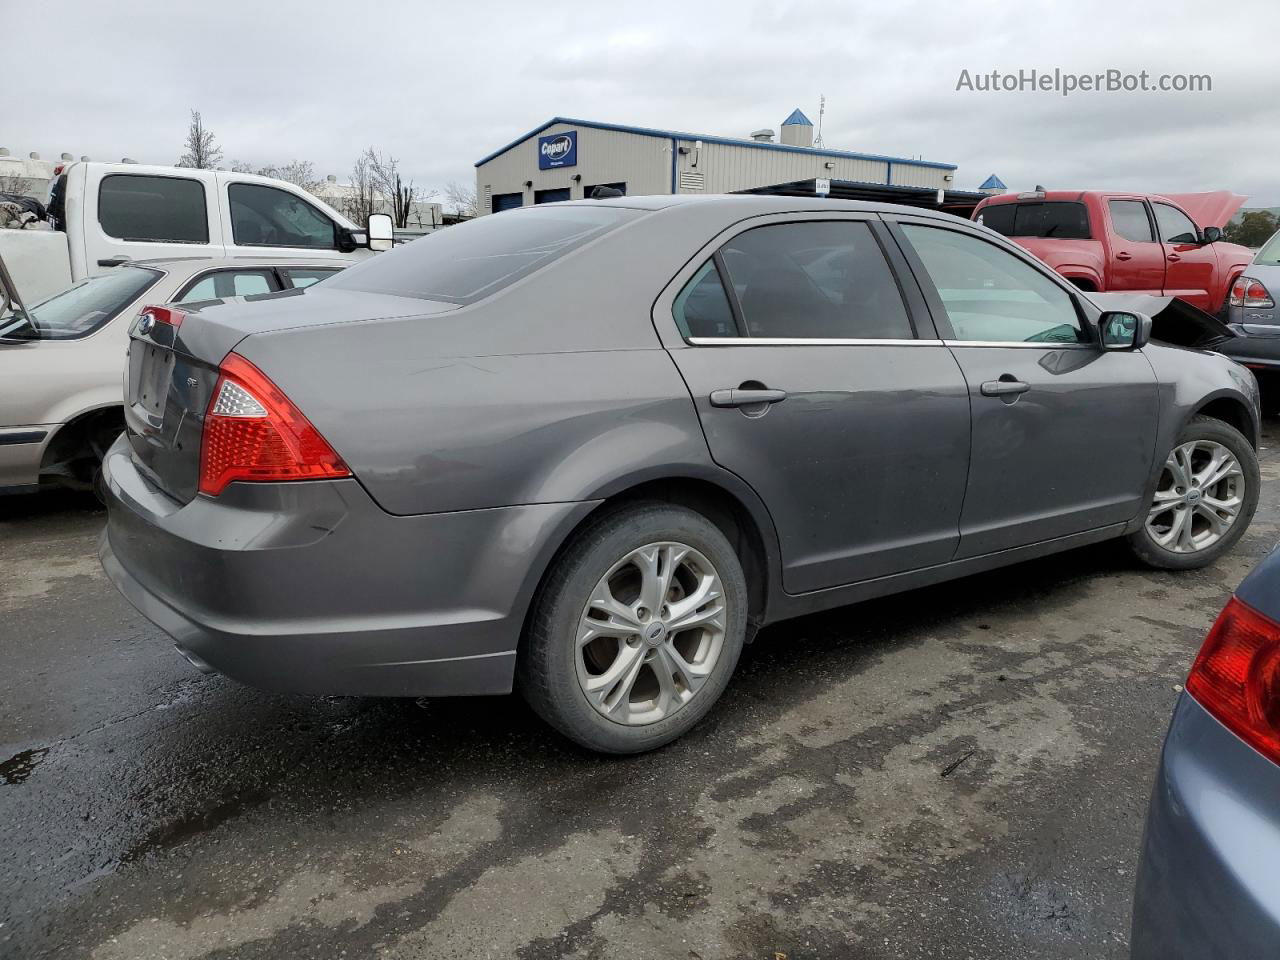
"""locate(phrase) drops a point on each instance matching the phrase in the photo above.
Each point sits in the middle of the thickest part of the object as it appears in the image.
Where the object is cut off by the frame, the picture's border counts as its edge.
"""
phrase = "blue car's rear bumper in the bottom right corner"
(1209, 880)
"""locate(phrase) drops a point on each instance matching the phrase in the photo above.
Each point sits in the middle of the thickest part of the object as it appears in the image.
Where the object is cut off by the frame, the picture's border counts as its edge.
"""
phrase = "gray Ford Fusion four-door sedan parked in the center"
(591, 449)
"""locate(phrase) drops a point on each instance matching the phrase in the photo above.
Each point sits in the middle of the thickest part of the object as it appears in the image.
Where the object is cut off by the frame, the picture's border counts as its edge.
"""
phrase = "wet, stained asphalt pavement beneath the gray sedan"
(956, 772)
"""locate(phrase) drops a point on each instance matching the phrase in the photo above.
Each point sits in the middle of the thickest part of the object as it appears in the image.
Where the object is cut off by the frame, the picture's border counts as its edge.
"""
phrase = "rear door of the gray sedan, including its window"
(828, 390)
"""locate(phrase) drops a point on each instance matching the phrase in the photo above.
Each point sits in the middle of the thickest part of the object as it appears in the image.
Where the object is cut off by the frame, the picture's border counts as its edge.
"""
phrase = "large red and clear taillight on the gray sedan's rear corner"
(253, 432)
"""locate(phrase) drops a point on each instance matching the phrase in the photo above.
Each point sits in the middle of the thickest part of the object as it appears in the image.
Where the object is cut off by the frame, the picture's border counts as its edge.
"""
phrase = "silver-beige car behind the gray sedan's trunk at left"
(62, 369)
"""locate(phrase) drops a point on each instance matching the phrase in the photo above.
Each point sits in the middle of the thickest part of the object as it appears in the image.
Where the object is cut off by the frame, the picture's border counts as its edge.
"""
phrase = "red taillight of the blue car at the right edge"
(1237, 676)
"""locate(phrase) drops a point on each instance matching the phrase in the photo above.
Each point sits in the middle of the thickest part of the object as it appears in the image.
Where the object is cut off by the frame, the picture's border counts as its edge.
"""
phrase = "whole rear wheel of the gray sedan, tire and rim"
(637, 630)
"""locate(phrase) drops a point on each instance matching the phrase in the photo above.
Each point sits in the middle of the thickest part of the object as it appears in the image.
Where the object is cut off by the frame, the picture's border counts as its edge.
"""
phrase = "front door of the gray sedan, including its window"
(1063, 431)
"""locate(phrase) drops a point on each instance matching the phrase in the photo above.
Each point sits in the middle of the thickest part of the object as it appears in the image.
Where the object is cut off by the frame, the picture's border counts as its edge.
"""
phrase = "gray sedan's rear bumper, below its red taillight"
(312, 588)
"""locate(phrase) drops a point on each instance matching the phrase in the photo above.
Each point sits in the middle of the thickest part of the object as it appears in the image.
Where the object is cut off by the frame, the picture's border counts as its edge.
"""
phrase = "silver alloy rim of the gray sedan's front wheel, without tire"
(1199, 497)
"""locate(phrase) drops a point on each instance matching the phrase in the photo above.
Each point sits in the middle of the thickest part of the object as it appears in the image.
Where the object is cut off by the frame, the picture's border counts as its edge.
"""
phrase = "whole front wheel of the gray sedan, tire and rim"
(1205, 499)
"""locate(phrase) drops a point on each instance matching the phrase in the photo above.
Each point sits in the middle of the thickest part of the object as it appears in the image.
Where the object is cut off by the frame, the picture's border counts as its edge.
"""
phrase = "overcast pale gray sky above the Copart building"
(440, 85)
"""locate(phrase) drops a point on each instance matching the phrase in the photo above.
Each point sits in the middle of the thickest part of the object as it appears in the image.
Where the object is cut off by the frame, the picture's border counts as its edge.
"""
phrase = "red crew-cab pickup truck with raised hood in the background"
(1144, 244)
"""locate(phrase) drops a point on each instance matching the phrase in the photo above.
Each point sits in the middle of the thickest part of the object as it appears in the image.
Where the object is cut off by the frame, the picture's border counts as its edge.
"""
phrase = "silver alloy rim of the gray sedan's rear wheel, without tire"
(651, 634)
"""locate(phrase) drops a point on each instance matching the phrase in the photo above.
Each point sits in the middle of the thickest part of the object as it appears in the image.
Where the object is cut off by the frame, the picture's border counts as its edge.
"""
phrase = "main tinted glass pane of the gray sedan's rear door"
(816, 281)
